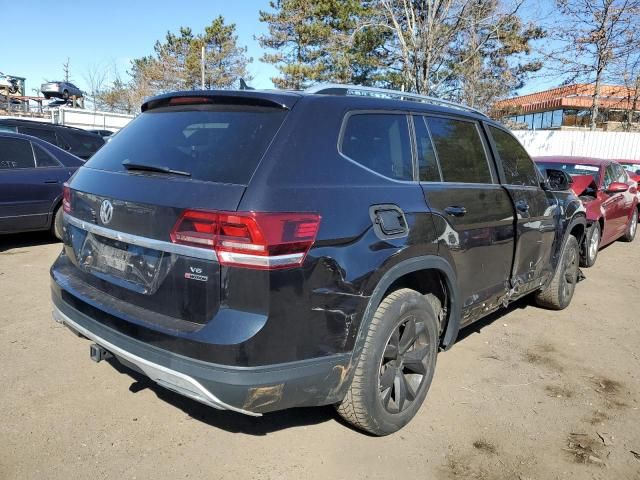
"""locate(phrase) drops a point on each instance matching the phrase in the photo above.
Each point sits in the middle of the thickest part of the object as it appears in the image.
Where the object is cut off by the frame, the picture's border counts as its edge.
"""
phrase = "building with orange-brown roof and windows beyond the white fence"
(569, 107)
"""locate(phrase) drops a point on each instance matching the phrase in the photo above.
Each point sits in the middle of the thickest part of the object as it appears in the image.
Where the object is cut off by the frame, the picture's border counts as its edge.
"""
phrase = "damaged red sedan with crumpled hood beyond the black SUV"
(609, 195)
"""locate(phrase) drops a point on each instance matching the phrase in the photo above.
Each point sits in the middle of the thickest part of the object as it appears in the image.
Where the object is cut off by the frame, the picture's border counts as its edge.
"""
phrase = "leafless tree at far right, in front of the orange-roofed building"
(593, 35)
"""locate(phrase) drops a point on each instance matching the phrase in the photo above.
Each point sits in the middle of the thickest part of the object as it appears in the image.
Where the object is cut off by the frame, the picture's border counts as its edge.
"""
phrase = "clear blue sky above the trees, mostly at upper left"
(109, 34)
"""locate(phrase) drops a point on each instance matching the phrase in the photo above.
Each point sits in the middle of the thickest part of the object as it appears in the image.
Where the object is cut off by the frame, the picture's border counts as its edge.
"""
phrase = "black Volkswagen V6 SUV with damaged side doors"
(260, 250)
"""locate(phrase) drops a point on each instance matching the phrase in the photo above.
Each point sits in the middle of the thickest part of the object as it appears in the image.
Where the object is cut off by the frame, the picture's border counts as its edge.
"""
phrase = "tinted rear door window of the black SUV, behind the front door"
(460, 151)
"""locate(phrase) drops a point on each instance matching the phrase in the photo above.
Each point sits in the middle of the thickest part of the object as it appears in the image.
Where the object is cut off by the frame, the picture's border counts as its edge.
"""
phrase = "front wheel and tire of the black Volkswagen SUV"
(558, 294)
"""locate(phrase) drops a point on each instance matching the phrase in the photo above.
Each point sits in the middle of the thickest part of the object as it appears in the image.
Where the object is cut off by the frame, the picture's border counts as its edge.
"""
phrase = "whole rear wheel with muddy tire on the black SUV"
(383, 398)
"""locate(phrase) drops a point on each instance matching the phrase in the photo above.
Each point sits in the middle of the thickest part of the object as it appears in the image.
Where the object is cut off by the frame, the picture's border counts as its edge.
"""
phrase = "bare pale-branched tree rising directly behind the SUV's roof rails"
(433, 41)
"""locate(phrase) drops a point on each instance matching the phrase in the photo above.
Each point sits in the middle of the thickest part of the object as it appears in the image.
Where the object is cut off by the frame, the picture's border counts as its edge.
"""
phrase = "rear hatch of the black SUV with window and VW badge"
(183, 154)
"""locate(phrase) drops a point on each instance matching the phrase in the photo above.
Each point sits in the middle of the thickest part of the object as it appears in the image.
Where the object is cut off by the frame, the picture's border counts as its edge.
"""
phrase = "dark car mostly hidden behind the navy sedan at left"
(79, 142)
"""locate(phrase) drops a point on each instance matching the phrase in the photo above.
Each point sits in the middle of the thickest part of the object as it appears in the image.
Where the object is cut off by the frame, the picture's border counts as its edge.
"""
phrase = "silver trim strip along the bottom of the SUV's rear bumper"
(163, 376)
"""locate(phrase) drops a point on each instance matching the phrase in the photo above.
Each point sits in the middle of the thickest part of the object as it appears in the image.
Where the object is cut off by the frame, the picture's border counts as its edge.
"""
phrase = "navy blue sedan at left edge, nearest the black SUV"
(32, 173)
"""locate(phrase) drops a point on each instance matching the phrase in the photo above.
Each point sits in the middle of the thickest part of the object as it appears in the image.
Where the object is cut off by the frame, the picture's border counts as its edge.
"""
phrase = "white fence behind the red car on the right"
(620, 145)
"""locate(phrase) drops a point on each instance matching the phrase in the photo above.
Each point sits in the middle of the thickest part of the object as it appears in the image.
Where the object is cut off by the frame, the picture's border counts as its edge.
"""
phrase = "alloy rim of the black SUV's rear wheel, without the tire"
(403, 366)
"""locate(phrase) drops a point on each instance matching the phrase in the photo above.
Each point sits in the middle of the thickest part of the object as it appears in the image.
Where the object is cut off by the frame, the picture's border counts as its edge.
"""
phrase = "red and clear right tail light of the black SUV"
(265, 241)
